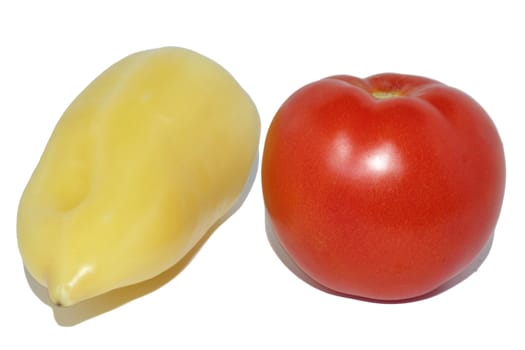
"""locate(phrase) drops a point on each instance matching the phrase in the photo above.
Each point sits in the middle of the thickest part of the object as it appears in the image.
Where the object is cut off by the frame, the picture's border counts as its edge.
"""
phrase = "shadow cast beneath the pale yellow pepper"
(72, 315)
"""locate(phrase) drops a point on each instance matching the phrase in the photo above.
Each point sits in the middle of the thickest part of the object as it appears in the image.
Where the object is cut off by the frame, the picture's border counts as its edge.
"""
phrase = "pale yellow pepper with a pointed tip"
(153, 153)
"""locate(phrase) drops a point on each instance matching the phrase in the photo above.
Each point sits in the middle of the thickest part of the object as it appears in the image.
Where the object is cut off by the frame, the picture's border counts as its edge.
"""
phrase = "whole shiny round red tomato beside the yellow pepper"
(385, 187)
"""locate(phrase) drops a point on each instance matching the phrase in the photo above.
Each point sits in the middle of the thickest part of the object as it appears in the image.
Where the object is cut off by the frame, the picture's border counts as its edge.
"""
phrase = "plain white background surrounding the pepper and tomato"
(236, 293)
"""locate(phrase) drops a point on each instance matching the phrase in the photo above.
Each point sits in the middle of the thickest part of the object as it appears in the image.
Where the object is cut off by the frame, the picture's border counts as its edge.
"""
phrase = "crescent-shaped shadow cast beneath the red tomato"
(292, 266)
